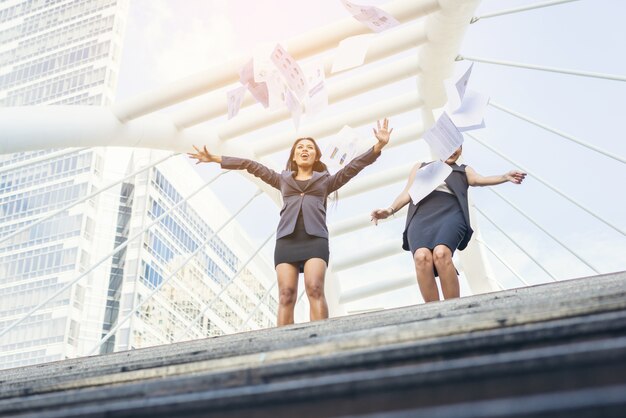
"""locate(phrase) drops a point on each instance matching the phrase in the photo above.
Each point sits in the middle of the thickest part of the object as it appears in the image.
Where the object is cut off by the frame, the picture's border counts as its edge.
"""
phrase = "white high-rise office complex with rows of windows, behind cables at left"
(67, 52)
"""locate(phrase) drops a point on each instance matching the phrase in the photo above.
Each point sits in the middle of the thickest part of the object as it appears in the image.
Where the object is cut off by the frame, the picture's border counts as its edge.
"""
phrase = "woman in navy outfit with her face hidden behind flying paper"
(439, 224)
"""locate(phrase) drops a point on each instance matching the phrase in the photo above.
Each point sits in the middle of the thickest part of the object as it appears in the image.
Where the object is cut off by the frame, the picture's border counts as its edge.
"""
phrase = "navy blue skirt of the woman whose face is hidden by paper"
(438, 220)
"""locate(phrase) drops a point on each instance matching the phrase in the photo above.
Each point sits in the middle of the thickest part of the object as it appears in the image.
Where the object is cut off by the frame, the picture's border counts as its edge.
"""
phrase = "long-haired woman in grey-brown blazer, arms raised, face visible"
(302, 235)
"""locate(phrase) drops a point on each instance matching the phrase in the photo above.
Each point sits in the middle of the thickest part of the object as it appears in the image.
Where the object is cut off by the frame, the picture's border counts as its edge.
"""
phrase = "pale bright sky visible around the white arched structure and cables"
(167, 40)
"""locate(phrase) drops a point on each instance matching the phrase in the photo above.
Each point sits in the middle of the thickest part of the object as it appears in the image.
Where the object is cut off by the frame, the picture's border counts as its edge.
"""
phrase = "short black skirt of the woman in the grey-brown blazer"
(298, 247)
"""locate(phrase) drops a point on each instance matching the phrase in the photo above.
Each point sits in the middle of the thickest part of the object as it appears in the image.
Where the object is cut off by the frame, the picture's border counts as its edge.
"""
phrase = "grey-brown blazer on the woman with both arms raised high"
(312, 199)
